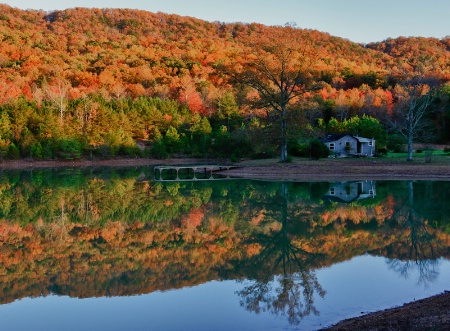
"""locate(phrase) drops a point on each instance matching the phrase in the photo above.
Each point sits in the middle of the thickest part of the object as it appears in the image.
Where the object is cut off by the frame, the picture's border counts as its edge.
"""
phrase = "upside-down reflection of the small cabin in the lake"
(350, 191)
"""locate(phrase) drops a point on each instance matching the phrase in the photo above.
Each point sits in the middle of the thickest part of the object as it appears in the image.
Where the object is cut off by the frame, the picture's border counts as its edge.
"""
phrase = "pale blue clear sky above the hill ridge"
(360, 21)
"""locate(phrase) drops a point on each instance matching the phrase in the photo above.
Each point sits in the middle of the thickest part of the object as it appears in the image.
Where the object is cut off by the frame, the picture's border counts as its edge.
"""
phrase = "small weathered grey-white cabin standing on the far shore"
(343, 145)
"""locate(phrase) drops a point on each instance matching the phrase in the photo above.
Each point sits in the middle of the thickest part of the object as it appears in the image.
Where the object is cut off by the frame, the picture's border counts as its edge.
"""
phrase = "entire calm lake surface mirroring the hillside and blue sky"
(113, 249)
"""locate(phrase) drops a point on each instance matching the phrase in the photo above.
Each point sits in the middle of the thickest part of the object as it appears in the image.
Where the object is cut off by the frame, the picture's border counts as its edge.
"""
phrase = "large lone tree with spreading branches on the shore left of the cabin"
(278, 66)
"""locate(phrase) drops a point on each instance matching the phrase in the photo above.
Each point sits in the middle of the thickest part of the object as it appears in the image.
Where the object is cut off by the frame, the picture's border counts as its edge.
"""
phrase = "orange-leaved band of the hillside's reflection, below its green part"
(124, 260)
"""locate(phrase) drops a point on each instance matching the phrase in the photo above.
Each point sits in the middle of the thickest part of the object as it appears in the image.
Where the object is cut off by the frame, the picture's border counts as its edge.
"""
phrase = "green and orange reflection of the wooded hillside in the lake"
(107, 237)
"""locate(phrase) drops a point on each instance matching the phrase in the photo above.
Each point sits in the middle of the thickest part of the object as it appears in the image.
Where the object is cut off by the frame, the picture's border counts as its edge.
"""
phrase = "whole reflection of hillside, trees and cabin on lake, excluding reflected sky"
(90, 233)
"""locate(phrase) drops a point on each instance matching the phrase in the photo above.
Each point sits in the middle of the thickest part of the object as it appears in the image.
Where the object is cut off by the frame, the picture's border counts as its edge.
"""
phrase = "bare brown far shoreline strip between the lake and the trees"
(271, 169)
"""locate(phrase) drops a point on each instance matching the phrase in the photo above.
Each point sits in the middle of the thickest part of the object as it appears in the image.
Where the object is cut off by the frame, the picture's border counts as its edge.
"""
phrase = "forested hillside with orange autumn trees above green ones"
(107, 82)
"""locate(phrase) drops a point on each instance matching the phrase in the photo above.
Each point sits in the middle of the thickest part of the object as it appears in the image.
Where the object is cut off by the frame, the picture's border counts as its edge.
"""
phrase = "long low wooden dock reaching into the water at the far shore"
(190, 172)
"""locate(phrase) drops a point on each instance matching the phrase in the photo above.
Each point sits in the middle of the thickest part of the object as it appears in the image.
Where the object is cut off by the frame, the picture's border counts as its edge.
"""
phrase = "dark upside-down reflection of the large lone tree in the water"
(284, 281)
